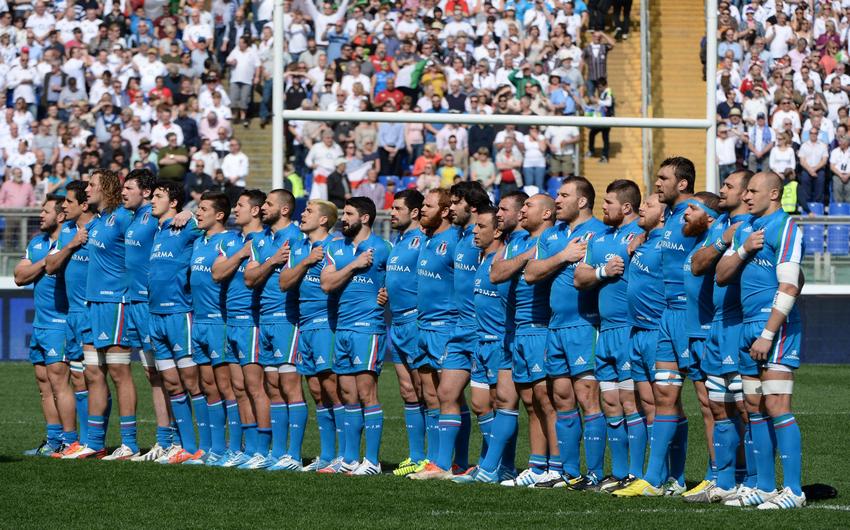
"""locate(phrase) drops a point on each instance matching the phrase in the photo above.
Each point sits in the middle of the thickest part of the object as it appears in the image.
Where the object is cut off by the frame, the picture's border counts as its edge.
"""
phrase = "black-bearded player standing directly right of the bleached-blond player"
(354, 274)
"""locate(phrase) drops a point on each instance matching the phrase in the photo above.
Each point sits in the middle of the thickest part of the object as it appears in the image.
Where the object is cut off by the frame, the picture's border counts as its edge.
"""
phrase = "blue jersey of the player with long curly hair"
(107, 279)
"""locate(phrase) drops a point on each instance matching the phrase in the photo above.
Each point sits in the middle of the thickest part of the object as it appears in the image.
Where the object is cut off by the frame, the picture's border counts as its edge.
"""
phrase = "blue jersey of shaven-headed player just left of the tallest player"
(645, 290)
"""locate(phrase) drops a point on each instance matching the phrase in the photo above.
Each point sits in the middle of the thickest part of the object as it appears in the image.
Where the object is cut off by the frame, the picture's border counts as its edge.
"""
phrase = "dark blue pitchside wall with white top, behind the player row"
(825, 339)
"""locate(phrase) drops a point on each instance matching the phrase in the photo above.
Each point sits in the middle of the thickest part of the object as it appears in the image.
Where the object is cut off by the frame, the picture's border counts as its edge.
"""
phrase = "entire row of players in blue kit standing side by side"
(593, 325)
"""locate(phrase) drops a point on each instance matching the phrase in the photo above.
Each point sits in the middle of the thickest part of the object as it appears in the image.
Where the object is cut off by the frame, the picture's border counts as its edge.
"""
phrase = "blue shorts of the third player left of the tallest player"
(571, 351)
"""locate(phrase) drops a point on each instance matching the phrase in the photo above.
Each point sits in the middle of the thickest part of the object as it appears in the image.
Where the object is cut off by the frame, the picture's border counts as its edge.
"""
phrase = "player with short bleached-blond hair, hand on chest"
(302, 274)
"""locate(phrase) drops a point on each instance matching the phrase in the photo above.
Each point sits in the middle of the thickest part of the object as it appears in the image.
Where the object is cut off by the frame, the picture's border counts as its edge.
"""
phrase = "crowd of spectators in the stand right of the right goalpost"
(782, 86)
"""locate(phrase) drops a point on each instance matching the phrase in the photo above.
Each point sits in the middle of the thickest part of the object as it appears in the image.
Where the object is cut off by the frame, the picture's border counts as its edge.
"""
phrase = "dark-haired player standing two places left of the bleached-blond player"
(242, 322)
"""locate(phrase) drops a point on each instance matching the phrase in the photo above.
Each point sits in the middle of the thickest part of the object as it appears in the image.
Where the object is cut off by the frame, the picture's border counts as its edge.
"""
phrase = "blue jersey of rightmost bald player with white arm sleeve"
(783, 243)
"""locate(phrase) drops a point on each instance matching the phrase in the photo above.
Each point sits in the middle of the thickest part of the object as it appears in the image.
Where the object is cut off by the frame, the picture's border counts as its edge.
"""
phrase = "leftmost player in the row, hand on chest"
(48, 352)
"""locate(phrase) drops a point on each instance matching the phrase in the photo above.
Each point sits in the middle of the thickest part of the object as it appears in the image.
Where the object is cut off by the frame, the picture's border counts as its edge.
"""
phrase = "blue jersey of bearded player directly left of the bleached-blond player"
(275, 305)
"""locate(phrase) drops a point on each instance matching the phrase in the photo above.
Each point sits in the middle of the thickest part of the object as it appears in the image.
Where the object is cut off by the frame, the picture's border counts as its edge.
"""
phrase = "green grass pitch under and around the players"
(45, 493)
